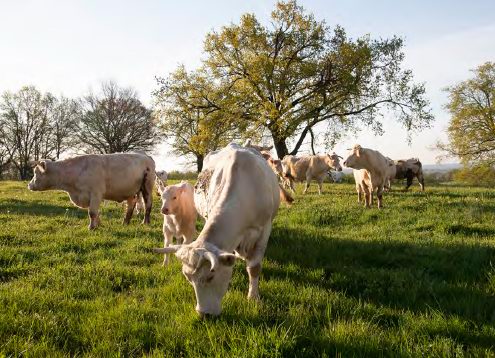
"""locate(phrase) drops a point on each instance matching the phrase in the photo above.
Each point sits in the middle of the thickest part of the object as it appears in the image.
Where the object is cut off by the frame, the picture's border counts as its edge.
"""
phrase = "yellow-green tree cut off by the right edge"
(471, 130)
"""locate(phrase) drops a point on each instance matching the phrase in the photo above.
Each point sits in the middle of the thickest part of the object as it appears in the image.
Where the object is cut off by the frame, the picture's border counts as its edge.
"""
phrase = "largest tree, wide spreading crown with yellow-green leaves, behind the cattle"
(294, 74)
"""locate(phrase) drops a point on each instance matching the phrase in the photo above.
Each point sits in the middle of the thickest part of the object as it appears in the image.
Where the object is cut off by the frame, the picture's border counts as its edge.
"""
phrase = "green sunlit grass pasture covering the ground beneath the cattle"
(414, 279)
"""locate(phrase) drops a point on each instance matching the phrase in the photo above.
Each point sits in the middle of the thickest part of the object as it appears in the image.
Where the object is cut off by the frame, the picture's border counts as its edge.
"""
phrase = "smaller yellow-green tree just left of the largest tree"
(190, 108)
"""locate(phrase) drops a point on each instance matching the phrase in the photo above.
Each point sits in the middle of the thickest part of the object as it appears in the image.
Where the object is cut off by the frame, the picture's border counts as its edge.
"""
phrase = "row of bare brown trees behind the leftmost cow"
(36, 125)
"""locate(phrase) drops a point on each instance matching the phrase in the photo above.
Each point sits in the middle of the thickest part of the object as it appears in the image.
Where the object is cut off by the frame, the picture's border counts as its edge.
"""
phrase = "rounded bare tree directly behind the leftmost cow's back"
(115, 120)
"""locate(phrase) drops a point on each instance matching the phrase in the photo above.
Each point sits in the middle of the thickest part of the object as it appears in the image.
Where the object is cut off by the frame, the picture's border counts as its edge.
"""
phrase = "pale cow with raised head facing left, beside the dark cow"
(371, 174)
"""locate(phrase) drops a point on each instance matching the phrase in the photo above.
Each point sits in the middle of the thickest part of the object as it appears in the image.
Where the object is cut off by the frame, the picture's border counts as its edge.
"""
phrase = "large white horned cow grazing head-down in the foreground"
(239, 195)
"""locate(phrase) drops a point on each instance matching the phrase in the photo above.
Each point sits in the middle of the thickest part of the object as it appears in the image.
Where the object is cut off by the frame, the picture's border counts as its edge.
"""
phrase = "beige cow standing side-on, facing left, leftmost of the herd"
(89, 179)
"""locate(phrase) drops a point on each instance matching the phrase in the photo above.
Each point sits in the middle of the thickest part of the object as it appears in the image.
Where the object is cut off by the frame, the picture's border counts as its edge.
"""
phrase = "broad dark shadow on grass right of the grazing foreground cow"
(420, 278)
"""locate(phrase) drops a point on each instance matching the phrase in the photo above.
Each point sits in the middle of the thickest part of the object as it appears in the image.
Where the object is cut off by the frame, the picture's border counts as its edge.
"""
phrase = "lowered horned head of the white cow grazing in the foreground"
(208, 269)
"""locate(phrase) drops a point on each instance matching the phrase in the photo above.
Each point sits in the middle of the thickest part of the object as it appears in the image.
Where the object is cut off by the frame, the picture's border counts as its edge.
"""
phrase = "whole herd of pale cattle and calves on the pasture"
(238, 220)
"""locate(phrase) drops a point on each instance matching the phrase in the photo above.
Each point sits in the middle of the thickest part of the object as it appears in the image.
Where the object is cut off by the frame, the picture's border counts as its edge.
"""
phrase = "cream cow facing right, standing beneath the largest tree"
(313, 167)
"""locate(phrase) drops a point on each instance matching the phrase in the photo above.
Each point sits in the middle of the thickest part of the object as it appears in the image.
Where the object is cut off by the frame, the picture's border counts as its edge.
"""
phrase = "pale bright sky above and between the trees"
(70, 46)
